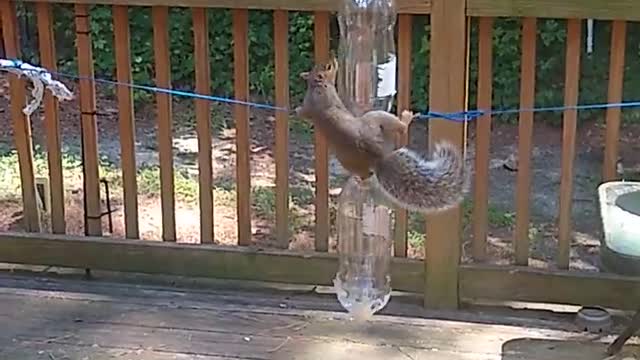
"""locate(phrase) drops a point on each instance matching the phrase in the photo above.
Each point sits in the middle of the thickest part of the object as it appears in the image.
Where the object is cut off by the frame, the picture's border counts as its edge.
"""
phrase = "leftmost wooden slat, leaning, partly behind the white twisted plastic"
(21, 122)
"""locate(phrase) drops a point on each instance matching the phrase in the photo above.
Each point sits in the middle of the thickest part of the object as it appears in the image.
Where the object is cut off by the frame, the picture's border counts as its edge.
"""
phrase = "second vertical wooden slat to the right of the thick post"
(525, 135)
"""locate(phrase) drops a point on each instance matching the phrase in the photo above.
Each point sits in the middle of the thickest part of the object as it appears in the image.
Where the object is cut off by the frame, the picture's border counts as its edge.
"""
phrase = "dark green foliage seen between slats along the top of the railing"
(550, 70)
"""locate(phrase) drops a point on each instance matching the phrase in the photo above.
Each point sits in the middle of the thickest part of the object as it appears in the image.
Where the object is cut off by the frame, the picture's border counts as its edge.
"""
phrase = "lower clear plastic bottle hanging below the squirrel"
(365, 228)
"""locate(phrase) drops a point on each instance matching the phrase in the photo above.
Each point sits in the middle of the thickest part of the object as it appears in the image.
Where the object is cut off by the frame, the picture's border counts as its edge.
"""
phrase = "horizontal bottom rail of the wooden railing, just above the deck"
(477, 282)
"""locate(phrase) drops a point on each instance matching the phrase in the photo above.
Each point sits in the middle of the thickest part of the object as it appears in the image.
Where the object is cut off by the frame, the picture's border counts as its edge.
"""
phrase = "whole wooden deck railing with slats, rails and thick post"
(442, 279)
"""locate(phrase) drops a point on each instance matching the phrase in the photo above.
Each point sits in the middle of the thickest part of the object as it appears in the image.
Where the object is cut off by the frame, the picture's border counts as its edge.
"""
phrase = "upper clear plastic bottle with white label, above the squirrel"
(367, 54)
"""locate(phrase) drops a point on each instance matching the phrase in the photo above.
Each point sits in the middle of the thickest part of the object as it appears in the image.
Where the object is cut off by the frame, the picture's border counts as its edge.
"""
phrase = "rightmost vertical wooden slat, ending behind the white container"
(616, 77)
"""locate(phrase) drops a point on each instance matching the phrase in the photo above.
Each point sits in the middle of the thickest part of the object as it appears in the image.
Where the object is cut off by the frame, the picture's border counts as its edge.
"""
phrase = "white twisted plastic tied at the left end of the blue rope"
(40, 78)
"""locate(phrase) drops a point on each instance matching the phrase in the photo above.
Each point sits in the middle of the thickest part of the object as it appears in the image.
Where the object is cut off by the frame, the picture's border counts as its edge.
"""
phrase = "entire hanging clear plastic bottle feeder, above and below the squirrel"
(366, 81)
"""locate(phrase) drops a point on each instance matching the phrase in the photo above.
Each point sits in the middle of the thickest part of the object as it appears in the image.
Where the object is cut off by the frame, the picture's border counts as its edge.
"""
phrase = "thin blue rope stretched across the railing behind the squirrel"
(460, 116)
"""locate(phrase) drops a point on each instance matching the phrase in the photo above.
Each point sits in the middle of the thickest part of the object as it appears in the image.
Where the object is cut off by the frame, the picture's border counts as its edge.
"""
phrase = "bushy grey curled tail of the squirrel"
(423, 183)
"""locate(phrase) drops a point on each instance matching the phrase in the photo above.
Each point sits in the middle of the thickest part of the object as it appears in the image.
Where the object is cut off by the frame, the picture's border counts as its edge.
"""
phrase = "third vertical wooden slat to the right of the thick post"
(572, 77)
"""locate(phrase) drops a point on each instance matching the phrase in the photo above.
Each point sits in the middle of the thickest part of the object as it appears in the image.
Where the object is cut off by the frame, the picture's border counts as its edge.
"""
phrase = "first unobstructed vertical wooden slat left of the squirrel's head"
(281, 44)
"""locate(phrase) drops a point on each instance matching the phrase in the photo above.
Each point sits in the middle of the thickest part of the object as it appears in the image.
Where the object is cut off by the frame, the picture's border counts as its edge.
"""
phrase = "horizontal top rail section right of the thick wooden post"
(566, 9)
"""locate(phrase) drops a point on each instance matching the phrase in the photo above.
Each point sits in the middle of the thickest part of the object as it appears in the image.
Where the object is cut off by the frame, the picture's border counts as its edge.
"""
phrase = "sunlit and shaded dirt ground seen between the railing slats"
(544, 192)
